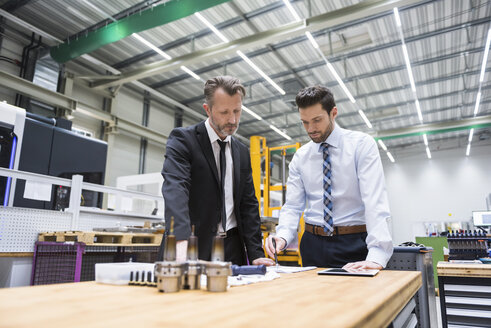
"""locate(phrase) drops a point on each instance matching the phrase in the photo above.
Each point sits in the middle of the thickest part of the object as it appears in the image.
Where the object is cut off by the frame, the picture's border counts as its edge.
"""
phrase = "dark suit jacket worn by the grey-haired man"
(192, 194)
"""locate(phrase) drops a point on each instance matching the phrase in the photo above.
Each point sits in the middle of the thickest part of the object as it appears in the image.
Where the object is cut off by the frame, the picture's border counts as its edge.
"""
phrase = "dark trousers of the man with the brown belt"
(334, 251)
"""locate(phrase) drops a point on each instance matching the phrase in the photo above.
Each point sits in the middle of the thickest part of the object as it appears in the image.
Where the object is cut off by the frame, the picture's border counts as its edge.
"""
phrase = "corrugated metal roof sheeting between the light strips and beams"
(445, 41)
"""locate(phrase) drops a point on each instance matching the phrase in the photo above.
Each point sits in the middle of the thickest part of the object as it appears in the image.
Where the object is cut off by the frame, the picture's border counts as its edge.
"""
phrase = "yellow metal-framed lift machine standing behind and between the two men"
(261, 173)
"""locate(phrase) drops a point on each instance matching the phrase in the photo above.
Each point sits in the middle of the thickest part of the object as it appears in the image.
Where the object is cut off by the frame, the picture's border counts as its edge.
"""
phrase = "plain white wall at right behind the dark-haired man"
(446, 188)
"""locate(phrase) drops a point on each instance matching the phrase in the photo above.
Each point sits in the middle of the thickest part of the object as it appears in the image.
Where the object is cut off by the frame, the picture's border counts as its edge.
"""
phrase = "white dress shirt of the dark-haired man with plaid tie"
(358, 190)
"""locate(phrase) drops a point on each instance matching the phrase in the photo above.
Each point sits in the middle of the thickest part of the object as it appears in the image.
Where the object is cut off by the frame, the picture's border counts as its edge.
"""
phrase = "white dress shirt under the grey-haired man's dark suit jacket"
(229, 181)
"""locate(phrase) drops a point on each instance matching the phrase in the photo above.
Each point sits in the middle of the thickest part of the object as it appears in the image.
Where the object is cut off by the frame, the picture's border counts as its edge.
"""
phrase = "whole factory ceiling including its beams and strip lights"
(411, 76)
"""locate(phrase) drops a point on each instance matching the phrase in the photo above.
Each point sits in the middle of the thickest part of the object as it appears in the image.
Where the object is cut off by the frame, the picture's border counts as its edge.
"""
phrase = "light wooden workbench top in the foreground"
(295, 300)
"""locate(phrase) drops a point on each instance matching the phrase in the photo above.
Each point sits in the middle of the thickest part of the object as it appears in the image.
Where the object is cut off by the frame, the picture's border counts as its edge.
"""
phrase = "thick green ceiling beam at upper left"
(141, 21)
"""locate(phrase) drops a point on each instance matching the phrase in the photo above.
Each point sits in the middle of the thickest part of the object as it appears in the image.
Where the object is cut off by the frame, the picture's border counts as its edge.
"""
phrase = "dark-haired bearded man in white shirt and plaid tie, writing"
(337, 182)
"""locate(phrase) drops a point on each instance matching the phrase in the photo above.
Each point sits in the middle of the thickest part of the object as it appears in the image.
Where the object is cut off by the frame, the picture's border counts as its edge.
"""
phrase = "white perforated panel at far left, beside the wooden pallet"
(19, 227)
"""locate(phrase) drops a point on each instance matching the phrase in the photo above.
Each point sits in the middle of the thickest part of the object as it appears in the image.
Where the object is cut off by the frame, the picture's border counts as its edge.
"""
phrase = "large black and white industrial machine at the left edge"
(37, 144)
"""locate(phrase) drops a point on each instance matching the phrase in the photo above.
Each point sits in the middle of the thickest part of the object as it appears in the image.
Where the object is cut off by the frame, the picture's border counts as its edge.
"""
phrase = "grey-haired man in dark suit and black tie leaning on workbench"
(197, 191)
